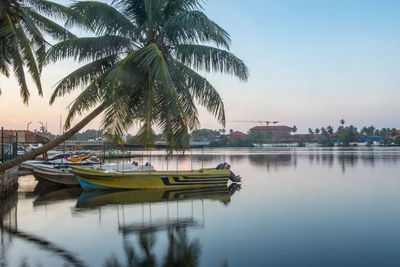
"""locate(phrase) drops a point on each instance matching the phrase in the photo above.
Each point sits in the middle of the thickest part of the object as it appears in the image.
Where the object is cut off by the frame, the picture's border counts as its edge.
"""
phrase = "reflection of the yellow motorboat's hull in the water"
(95, 199)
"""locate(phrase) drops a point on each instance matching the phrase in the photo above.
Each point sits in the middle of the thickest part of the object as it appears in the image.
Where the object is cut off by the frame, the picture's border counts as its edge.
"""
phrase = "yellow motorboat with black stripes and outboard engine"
(100, 179)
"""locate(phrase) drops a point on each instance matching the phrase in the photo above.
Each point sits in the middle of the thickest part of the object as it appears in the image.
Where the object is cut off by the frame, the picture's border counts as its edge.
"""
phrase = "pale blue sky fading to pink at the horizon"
(311, 63)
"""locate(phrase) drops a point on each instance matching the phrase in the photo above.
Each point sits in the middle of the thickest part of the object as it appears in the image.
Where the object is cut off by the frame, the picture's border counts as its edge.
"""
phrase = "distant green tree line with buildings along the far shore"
(325, 136)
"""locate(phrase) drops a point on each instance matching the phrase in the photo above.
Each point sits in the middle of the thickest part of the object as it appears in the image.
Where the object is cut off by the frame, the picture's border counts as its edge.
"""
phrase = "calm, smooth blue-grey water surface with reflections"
(304, 207)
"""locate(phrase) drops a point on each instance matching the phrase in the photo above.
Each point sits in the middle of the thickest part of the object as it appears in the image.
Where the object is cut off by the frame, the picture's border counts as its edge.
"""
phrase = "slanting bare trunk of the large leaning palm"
(53, 143)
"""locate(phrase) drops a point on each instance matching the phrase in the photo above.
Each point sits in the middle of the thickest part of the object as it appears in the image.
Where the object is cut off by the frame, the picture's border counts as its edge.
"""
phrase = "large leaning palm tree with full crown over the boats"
(142, 68)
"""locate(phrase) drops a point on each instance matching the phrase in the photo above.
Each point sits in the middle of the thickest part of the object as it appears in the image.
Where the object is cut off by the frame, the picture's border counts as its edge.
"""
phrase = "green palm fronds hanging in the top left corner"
(22, 25)
